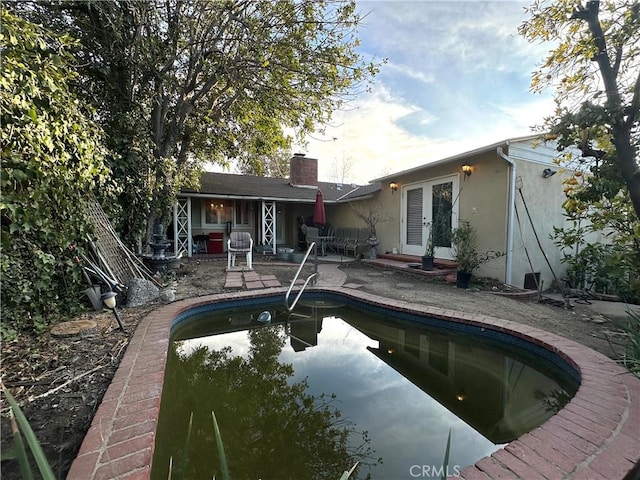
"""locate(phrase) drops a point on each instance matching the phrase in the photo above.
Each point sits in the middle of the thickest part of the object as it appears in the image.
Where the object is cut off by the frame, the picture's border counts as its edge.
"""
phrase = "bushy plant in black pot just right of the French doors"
(463, 239)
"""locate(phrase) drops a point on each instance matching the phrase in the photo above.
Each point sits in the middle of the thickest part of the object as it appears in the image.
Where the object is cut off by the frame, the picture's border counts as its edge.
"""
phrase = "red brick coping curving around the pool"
(596, 436)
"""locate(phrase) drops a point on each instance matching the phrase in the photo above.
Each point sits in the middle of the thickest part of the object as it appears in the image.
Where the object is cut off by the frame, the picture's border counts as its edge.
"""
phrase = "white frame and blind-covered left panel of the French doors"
(420, 195)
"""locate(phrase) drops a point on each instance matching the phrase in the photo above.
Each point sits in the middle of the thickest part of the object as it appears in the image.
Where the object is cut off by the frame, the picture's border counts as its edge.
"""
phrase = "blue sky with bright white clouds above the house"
(457, 78)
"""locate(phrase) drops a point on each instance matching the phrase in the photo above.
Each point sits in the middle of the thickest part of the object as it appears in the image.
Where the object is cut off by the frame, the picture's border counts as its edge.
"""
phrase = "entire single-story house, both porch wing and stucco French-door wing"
(506, 195)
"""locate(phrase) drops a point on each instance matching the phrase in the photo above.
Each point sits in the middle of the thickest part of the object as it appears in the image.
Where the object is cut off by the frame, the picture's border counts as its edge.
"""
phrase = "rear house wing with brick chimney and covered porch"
(268, 208)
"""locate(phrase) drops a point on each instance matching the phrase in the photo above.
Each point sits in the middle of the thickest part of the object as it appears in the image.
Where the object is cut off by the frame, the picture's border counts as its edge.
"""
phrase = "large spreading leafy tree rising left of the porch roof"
(180, 83)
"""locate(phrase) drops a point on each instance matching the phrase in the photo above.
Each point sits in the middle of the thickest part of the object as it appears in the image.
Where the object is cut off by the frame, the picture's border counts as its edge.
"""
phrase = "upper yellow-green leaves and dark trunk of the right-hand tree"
(594, 69)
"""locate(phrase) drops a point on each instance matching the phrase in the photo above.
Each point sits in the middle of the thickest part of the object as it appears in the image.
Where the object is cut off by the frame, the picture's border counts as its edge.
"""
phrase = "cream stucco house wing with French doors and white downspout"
(512, 195)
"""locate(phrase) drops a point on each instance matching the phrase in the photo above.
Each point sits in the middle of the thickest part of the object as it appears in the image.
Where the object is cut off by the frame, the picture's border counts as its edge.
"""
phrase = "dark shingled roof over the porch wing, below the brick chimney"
(267, 188)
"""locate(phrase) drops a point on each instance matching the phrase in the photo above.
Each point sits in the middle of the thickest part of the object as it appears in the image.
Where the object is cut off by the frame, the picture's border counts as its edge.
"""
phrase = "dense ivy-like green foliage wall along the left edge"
(52, 159)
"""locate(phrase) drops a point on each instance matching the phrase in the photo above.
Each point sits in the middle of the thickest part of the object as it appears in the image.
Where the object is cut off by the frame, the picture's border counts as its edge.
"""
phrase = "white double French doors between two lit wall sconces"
(425, 206)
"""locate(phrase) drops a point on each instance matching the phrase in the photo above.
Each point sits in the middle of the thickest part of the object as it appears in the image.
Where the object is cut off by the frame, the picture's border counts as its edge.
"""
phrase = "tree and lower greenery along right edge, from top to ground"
(594, 68)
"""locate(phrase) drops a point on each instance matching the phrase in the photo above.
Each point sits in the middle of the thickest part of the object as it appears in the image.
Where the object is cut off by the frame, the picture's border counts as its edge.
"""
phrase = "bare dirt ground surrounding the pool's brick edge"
(60, 381)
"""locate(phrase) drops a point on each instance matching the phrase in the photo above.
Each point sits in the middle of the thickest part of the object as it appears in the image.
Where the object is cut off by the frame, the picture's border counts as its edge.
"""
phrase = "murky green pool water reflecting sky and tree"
(306, 397)
